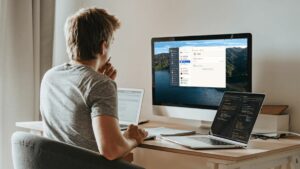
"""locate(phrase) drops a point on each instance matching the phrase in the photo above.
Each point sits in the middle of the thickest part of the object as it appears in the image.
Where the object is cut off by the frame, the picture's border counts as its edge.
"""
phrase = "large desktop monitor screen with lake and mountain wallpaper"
(194, 71)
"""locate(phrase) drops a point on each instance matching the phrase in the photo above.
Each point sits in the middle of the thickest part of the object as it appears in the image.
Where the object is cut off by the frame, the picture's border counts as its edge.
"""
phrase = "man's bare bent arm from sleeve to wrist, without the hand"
(110, 141)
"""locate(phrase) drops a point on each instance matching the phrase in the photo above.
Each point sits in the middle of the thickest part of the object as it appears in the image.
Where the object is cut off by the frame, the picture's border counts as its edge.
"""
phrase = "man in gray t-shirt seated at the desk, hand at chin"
(79, 98)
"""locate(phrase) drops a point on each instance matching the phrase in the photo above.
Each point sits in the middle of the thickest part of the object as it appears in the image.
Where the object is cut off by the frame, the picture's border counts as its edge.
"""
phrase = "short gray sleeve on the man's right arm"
(102, 99)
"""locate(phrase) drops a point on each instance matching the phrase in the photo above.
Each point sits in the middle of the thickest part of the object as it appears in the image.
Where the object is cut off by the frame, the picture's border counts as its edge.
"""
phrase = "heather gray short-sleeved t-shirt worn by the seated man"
(71, 95)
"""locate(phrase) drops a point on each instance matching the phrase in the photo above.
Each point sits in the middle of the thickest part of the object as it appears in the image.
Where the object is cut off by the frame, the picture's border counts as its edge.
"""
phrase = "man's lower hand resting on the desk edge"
(133, 132)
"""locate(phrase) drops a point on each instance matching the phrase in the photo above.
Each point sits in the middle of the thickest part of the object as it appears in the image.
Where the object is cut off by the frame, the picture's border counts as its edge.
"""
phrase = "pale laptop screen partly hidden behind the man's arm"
(129, 105)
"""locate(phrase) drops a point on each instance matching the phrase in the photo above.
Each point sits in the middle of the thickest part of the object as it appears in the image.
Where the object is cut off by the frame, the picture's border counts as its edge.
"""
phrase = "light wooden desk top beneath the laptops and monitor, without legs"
(256, 148)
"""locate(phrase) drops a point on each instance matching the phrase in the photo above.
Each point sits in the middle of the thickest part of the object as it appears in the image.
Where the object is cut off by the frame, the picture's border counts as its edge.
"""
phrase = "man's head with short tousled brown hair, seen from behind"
(88, 33)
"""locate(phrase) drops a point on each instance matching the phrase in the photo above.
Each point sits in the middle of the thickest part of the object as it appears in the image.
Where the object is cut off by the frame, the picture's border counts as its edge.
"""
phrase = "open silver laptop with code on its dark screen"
(232, 125)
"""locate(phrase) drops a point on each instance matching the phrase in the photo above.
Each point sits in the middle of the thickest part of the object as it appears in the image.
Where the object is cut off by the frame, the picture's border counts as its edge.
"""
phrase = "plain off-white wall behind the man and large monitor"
(274, 25)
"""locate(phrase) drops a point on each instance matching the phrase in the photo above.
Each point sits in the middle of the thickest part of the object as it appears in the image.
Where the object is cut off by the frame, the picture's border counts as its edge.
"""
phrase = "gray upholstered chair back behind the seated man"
(35, 152)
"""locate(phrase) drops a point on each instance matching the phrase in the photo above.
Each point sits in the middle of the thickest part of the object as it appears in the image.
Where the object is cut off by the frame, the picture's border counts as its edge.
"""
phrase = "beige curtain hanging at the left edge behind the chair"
(26, 33)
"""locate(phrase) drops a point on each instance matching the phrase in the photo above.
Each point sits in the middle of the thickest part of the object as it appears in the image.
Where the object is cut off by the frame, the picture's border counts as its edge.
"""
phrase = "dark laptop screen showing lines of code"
(236, 116)
